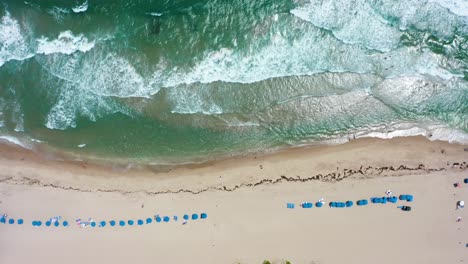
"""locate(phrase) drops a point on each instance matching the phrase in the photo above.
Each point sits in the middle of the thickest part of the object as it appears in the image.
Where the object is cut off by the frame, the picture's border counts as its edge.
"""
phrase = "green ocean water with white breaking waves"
(180, 81)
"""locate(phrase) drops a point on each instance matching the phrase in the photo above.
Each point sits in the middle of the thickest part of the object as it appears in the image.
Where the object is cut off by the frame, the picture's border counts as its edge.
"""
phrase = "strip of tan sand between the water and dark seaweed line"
(321, 162)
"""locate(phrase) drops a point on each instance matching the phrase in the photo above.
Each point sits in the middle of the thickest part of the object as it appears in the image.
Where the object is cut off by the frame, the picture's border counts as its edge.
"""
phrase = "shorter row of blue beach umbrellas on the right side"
(362, 202)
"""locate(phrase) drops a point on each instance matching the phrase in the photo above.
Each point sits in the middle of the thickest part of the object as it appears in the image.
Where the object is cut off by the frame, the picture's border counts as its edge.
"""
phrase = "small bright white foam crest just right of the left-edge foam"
(66, 43)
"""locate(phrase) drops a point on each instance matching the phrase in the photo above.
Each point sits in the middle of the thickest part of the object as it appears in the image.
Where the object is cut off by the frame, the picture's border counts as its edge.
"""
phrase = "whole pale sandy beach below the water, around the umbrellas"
(245, 199)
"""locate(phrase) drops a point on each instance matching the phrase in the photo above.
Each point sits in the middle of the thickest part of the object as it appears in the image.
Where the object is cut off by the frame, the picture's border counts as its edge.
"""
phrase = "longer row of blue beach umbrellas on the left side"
(139, 222)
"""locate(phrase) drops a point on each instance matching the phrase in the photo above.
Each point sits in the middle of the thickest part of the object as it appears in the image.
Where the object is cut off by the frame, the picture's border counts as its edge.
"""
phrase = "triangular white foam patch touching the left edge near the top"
(13, 44)
